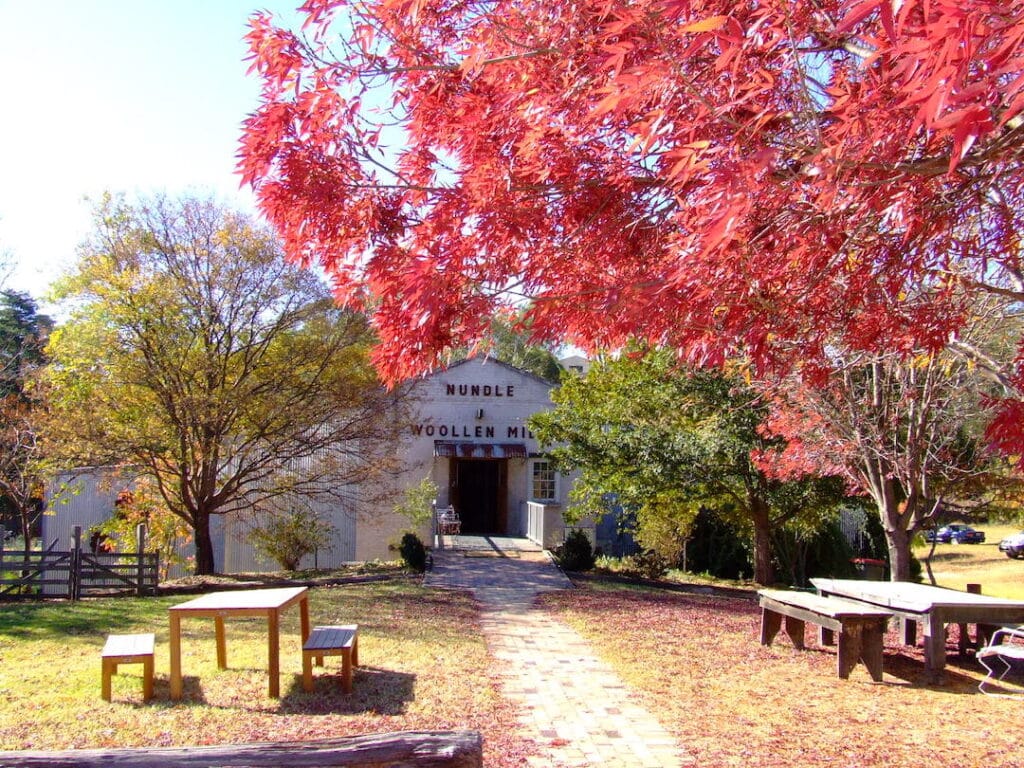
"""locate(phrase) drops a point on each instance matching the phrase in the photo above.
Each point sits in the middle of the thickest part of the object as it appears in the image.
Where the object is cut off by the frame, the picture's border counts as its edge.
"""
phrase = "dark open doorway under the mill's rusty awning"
(479, 493)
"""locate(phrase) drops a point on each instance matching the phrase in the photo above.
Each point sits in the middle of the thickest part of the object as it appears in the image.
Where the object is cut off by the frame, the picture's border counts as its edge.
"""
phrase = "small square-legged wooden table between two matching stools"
(220, 606)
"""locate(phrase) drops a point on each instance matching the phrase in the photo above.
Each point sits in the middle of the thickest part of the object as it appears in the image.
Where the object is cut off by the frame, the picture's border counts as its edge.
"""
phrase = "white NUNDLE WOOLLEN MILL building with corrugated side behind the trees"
(468, 436)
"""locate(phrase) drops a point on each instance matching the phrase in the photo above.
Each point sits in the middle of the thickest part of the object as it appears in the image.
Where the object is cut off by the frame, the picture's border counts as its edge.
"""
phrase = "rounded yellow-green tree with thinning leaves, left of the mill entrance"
(196, 355)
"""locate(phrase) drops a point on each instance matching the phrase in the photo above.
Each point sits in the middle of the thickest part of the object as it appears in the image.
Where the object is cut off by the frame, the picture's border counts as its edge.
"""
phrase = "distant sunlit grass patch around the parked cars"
(957, 566)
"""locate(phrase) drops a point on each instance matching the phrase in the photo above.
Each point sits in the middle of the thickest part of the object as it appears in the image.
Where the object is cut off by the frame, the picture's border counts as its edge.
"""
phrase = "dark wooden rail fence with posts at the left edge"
(77, 573)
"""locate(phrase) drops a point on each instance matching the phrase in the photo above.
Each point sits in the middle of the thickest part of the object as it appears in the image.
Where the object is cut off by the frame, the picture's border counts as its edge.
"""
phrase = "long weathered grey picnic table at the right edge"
(932, 608)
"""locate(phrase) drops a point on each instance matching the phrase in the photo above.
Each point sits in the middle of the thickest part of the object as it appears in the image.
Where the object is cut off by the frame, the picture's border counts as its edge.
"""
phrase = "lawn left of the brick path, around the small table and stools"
(423, 661)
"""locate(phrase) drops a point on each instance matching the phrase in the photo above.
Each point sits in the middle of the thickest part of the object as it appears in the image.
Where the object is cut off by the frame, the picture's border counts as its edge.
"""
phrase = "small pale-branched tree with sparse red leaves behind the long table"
(898, 431)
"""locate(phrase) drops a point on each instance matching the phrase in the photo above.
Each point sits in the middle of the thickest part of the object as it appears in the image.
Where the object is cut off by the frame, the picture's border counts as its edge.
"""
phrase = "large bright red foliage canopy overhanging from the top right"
(764, 180)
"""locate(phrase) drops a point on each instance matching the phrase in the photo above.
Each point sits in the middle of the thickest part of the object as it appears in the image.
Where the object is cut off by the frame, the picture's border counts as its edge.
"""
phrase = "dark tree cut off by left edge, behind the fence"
(23, 337)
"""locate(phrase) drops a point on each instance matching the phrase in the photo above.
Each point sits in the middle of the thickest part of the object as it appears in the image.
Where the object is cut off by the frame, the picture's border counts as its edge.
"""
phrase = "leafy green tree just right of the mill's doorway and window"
(669, 443)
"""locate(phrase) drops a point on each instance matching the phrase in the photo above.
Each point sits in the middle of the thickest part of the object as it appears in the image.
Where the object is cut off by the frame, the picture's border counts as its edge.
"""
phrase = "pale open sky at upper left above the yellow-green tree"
(135, 97)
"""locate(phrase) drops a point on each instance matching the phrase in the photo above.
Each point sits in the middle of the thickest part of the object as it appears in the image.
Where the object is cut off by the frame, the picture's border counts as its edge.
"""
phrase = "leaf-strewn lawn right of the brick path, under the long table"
(696, 662)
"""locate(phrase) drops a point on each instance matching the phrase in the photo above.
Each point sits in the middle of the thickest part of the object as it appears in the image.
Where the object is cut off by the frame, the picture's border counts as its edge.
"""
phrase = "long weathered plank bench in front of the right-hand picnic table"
(861, 627)
